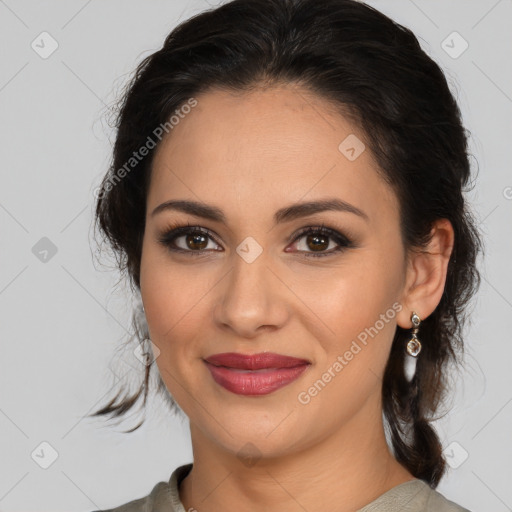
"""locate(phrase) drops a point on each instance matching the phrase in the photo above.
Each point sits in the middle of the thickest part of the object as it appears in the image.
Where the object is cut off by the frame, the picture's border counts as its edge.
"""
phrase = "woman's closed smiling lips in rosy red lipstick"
(254, 374)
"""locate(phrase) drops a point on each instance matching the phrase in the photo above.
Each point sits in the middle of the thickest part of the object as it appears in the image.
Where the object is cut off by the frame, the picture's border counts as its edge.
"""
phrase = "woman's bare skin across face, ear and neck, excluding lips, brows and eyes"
(251, 154)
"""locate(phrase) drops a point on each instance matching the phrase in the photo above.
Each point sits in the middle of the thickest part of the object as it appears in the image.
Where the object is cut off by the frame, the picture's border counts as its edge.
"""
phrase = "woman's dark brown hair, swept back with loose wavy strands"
(372, 69)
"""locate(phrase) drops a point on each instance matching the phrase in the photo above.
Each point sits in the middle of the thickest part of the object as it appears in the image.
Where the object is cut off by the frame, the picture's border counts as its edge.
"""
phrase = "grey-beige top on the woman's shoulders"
(412, 496)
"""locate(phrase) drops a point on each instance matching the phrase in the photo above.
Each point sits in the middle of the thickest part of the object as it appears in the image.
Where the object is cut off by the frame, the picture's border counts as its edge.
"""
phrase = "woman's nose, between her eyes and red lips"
(252, 299)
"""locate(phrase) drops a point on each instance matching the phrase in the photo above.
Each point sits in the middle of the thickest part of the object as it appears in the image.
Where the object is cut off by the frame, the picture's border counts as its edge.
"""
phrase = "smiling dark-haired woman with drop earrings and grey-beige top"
(286, 194)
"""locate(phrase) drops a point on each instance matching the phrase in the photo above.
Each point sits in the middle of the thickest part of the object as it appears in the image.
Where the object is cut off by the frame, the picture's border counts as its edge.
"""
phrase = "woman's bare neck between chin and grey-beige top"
(343, 472)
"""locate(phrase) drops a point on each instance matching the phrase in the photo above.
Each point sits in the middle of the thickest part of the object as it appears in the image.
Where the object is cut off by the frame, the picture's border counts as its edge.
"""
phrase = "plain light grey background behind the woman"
(63, 320)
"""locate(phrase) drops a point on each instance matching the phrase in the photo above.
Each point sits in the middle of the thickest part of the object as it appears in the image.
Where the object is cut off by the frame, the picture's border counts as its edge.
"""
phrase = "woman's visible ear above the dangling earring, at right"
(426, 274)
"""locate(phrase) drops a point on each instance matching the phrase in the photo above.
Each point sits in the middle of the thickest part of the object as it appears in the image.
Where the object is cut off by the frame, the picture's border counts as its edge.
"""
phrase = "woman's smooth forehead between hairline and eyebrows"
(255, 151)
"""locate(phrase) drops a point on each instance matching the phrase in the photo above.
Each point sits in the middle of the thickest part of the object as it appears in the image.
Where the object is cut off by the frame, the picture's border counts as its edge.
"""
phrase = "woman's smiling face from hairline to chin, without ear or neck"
(253, 280)
